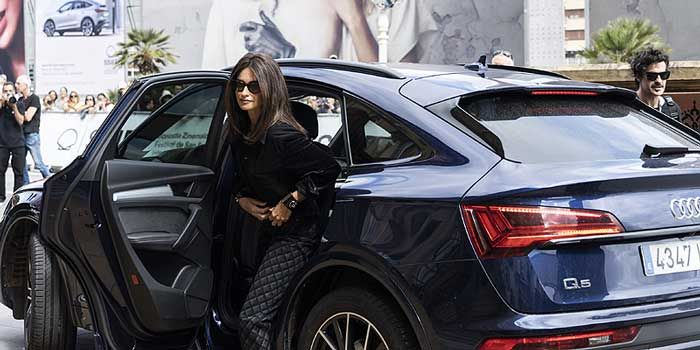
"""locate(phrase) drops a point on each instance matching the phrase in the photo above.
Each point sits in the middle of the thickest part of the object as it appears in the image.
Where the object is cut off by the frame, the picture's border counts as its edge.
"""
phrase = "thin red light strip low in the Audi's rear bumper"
(571, 341)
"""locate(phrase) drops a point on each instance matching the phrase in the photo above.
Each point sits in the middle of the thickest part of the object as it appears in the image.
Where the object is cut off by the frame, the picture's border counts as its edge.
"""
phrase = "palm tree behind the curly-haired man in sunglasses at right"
(622, 38)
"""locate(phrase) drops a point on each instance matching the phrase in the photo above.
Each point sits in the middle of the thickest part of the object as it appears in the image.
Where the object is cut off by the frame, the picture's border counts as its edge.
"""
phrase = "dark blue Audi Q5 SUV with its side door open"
(478, 207)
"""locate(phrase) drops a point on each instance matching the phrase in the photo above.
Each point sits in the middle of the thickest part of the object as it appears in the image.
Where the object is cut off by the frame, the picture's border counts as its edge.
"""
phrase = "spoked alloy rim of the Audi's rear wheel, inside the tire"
(348, 331)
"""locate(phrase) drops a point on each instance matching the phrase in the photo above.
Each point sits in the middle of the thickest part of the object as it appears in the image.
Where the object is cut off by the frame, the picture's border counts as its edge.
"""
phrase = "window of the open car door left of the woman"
(171, 123)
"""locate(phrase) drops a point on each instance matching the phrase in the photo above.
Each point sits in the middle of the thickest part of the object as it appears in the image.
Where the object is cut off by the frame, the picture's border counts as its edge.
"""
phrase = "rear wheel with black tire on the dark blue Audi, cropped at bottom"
(363, 309)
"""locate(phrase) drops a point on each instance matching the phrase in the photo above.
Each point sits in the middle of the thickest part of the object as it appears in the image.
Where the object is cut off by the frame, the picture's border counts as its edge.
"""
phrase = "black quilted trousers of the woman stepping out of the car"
(286, 255)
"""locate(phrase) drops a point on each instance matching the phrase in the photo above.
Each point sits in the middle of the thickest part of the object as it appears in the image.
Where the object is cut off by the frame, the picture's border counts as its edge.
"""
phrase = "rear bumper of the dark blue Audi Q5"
(462, 309)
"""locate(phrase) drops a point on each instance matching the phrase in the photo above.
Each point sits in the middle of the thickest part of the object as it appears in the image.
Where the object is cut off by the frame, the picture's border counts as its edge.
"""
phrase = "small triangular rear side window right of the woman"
(376, 138)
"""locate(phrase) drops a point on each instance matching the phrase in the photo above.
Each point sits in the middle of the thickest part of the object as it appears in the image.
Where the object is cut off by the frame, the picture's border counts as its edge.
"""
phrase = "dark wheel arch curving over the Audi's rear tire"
(345, 267)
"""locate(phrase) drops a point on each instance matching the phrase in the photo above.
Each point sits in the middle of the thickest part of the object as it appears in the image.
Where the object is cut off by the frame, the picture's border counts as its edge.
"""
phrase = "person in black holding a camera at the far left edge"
(11, 137)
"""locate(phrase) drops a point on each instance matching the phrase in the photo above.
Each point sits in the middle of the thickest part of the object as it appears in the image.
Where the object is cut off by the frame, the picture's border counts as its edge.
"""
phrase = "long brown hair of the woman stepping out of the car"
(273, 96)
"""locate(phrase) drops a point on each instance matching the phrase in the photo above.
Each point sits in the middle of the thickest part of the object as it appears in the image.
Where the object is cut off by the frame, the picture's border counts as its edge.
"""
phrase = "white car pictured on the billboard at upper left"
(85, 16)
